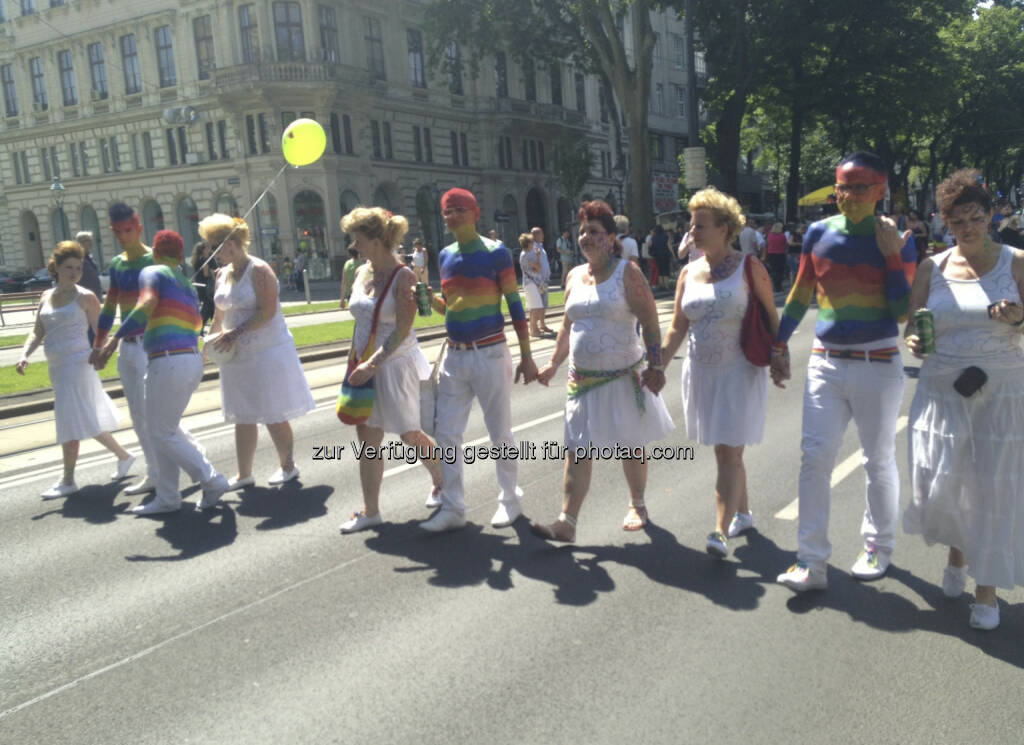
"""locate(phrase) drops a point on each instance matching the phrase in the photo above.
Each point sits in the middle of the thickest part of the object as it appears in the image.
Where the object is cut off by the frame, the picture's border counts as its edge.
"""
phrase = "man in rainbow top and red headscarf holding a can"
(477, 274)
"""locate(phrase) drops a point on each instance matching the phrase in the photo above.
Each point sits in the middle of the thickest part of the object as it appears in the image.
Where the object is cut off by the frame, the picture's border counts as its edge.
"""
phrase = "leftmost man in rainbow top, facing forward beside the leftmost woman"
(123, 294)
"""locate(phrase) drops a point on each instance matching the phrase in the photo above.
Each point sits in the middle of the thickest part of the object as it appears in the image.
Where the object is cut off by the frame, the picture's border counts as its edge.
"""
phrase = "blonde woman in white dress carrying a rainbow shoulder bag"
(398, 365)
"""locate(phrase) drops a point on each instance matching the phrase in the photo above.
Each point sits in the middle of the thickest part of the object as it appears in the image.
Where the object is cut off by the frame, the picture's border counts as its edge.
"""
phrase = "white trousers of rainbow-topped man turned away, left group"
(170, 384)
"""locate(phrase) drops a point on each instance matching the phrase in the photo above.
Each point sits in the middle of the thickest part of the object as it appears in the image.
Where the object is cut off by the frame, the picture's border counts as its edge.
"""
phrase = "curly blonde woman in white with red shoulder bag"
(723, 395)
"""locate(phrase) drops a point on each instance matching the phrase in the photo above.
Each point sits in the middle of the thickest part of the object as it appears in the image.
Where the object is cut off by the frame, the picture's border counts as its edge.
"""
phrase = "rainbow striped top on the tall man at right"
(862, 294)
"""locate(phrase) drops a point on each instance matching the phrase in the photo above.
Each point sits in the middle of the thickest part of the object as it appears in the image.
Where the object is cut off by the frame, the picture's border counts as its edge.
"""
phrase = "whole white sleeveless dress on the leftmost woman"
(81, 409)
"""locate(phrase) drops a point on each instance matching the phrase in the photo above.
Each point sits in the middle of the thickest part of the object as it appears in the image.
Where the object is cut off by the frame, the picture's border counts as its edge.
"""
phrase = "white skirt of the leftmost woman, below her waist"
(81, 408)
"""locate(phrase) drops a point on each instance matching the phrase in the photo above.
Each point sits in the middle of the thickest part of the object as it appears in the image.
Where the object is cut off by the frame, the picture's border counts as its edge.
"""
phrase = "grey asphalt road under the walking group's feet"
(258, 623)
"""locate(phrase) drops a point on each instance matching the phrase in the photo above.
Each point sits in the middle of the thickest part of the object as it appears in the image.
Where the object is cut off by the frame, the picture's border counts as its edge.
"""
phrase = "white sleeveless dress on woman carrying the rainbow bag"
(397, 382)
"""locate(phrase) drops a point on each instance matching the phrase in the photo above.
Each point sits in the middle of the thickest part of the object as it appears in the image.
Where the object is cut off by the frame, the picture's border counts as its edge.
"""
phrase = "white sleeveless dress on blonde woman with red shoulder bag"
(724, 397)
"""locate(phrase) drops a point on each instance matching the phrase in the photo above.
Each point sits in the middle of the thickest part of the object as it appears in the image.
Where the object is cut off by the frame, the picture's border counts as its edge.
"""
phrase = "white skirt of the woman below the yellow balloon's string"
(266, 387)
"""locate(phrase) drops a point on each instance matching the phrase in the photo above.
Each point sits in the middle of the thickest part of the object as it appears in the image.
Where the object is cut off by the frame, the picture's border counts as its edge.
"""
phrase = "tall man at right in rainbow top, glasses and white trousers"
(861, 268)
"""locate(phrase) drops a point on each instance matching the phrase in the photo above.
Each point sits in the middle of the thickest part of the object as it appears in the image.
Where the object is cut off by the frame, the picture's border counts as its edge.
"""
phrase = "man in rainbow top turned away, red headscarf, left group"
(168, 317)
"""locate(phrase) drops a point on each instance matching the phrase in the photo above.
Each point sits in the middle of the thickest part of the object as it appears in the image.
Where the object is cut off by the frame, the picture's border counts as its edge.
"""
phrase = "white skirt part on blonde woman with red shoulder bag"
(726, 405)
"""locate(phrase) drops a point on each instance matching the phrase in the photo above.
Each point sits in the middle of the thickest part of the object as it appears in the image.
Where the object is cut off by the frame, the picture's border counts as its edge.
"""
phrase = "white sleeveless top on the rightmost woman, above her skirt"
(964, 334)
